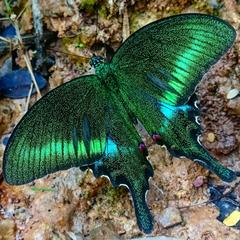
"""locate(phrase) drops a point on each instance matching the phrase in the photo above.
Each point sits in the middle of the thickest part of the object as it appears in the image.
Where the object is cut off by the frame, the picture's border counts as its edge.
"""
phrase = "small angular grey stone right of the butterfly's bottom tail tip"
(170, 216)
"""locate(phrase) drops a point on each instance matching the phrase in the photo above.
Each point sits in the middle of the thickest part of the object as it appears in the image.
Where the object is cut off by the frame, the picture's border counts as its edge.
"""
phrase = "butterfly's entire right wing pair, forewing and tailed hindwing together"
(158, 68)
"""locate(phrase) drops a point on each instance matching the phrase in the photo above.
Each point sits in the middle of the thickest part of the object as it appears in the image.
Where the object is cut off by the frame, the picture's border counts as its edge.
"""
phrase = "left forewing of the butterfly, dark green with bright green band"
(65, 128)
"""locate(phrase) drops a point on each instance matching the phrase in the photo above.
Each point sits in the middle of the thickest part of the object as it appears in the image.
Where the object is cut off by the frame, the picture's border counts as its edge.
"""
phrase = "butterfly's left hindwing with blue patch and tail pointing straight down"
(124, 163)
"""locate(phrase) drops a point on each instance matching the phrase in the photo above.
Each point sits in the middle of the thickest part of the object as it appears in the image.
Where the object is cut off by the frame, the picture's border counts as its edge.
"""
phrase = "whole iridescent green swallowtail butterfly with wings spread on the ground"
(90, 121)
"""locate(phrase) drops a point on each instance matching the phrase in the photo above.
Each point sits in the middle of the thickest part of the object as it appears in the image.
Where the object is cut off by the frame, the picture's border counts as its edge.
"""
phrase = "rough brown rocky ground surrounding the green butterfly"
(75, 205)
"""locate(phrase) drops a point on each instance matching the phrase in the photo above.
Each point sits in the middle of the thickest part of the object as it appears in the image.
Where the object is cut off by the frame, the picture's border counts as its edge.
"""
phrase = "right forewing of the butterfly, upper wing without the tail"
(167, 58)
